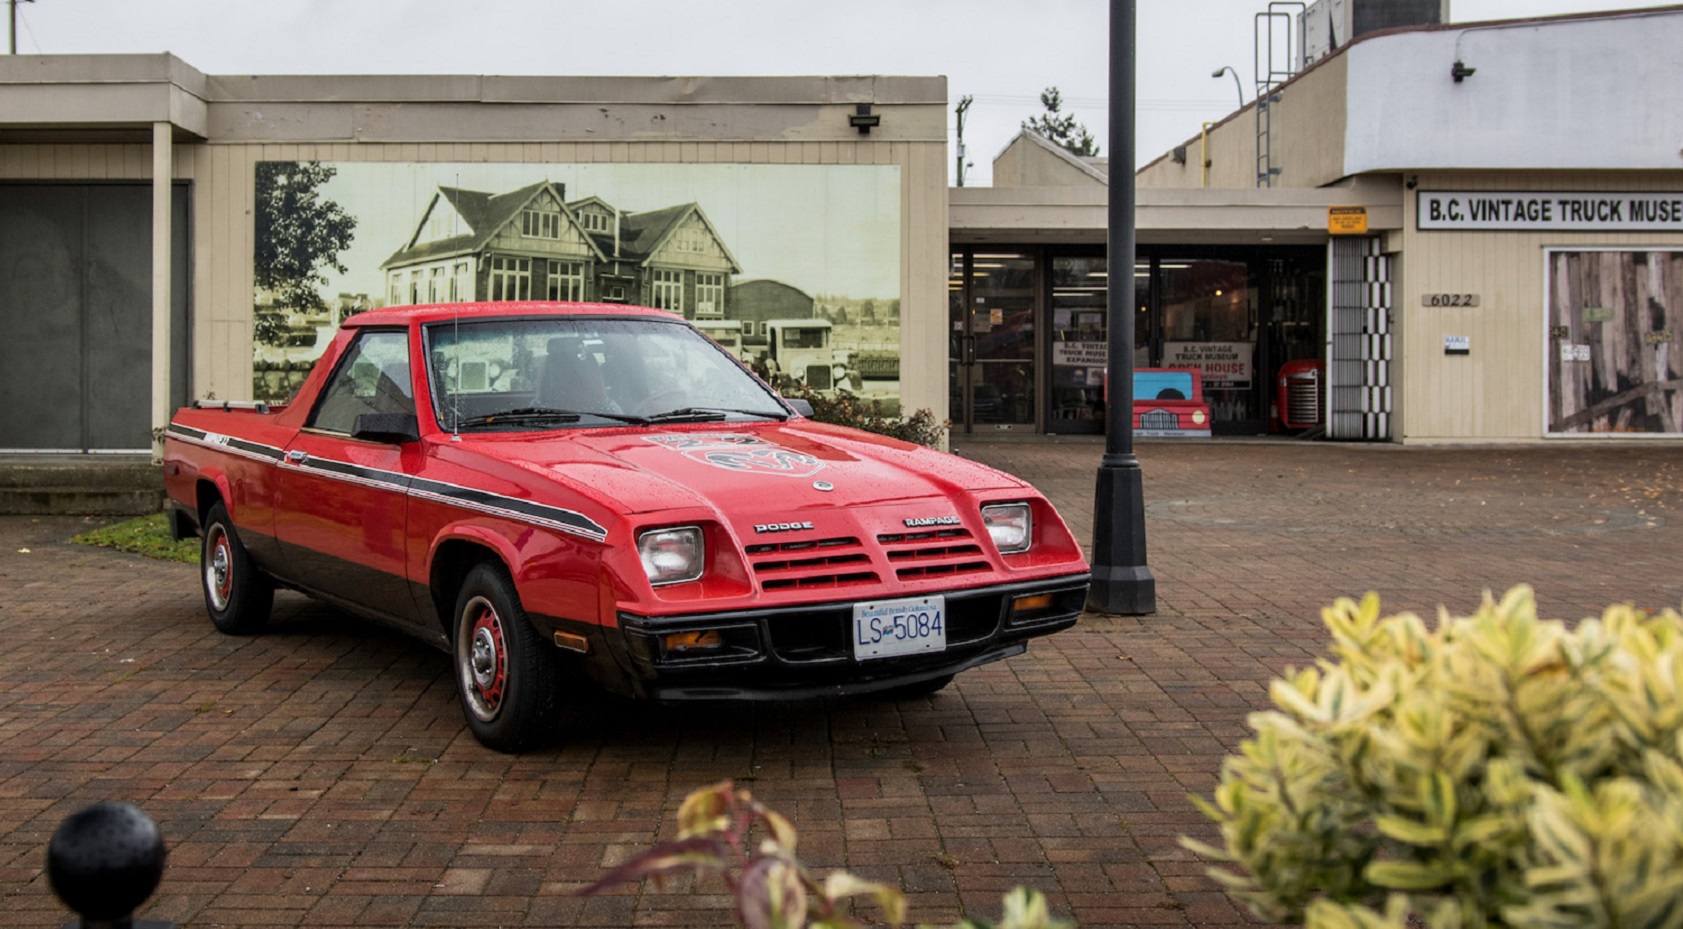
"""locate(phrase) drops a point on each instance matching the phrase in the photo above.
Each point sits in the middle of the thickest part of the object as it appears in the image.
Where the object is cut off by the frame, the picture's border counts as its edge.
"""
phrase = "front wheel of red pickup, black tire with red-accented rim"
(506, 676)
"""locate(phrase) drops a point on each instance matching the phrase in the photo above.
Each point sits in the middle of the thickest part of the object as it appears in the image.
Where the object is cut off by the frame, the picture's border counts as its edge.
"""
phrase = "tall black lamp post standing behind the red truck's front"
(1122, 583)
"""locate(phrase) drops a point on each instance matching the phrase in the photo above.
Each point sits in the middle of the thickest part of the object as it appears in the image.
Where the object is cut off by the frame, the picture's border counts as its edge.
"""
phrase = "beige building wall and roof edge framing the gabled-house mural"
(472, 119)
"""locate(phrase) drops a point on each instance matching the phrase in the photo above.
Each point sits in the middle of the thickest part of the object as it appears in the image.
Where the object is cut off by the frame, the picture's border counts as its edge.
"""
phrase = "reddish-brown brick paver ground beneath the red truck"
(321, 775)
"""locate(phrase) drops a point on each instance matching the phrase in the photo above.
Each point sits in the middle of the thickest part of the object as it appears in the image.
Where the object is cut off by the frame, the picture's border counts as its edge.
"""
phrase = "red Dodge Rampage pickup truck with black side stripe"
(560, 494)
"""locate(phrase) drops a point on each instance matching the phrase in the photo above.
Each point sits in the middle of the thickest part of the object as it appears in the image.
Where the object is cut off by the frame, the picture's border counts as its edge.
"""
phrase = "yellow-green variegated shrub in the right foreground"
(1494, 772)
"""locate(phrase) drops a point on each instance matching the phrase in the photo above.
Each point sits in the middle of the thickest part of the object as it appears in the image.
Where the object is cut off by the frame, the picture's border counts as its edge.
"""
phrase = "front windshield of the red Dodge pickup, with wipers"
(607, 371)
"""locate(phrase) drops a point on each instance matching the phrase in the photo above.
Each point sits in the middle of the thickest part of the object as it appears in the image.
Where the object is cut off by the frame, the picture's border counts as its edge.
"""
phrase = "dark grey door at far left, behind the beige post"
(77, 316)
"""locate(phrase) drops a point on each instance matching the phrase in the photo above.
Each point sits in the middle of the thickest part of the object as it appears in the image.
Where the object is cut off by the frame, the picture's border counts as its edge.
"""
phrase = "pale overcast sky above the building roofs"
(1004, 53)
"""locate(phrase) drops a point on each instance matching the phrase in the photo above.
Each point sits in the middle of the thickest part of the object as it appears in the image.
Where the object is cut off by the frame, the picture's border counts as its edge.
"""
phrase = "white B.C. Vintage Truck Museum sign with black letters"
(1605, 211)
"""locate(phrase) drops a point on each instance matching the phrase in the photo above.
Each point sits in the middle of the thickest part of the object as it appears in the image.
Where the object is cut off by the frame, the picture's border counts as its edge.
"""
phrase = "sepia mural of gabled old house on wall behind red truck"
(794, 268)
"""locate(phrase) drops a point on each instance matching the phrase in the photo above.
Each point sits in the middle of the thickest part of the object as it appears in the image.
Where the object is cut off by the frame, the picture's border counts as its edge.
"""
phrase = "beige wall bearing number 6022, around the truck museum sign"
(1497, 393)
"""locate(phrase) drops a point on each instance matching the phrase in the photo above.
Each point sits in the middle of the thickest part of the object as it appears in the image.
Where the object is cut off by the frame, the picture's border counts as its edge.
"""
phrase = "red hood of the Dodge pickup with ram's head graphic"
(745, 467)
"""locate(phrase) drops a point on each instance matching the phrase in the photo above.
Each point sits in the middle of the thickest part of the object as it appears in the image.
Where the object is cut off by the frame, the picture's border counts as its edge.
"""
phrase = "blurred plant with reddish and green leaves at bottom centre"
(770, 886)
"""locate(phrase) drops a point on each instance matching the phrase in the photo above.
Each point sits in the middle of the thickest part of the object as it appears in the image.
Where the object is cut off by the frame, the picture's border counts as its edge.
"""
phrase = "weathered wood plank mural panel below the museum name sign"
(1615, 342)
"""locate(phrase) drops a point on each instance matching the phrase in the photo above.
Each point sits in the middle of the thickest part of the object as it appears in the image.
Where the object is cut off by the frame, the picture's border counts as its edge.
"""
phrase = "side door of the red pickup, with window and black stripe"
(342, 504)
